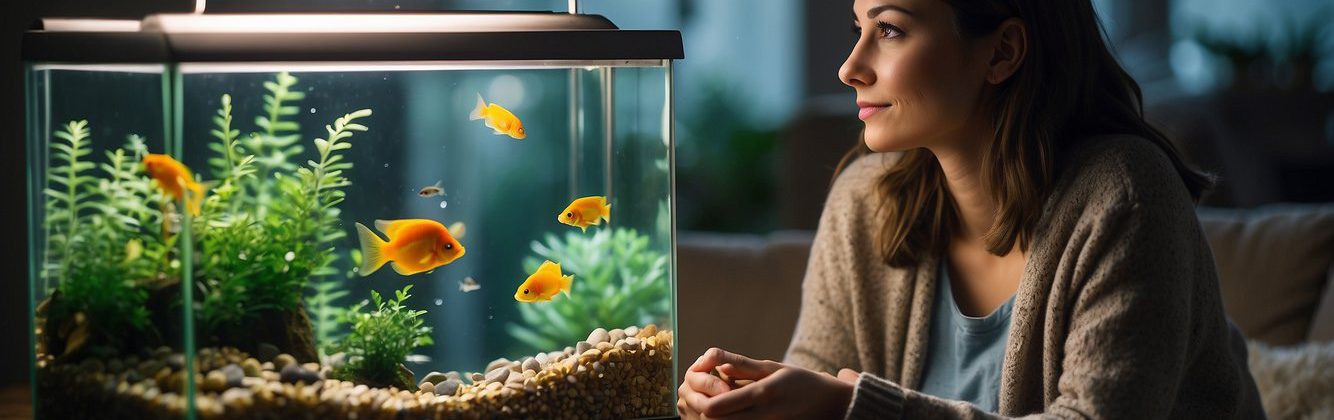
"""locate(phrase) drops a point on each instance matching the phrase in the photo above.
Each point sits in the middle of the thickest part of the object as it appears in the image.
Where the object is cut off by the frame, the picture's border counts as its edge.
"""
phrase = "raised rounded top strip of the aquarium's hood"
(341, 23)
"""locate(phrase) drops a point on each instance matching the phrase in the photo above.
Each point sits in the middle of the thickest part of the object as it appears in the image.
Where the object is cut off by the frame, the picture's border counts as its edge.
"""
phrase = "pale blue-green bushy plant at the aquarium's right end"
(620, 281)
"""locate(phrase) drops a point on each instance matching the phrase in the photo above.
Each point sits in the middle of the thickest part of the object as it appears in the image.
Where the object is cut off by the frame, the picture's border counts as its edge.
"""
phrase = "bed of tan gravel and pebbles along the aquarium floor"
(613, 374)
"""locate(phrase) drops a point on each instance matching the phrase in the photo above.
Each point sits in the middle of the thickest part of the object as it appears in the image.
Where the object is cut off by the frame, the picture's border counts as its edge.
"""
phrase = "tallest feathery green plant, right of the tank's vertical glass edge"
(261, 254)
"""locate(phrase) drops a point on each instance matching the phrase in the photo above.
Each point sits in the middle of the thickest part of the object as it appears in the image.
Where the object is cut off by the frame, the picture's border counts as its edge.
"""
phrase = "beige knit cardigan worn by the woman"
(1117, 317)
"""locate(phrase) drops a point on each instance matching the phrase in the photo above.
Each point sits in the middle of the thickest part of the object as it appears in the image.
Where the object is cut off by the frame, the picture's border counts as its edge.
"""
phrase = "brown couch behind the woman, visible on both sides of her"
(742, 293)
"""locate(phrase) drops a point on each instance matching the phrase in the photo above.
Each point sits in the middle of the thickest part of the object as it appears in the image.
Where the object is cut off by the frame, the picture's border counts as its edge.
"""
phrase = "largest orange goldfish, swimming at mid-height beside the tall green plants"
(414, 246)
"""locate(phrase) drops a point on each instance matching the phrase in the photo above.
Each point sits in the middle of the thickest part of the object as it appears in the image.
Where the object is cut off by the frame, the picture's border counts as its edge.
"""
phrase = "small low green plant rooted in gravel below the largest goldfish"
(381, 341)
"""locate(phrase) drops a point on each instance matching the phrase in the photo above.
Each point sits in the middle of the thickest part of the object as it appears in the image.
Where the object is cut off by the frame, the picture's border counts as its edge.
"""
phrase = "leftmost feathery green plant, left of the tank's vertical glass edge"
(95, 234)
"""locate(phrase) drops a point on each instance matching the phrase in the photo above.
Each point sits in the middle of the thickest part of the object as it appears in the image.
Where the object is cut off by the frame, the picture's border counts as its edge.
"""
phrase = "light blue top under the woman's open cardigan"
(965, 354)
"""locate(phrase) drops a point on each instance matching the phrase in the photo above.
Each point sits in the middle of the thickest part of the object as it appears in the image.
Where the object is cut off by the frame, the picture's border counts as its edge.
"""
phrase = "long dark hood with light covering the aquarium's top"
(314, 38)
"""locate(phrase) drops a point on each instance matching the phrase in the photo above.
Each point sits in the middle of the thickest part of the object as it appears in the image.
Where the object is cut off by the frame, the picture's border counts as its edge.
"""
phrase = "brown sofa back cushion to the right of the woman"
(1273, 265)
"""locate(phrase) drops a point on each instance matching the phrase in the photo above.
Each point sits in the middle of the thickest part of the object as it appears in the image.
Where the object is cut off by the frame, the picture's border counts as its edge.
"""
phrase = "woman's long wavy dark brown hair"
(1068, 87)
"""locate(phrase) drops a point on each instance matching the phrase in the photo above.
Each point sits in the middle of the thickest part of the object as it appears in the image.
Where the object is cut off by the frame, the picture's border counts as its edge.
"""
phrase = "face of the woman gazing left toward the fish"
(917, 79)
